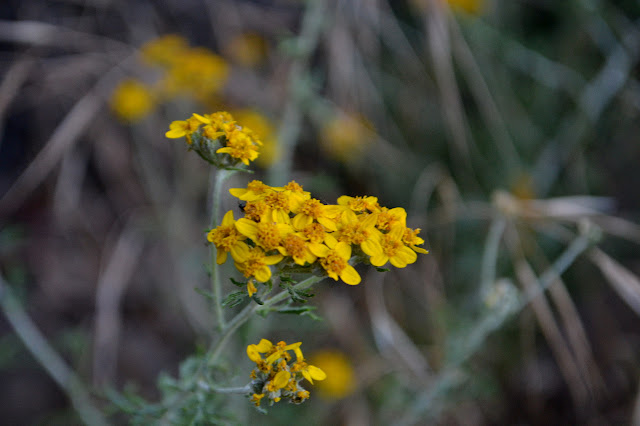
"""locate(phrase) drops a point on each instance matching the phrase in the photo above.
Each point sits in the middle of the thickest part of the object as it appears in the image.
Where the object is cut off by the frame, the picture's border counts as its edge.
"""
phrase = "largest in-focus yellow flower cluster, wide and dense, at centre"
(287, 227)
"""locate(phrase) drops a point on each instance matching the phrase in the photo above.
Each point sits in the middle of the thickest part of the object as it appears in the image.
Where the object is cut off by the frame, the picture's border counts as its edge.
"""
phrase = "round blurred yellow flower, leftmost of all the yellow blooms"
(132, 100)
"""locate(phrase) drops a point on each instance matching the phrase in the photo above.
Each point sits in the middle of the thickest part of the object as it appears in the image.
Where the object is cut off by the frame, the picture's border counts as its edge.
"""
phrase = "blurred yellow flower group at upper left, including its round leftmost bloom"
(194, 72)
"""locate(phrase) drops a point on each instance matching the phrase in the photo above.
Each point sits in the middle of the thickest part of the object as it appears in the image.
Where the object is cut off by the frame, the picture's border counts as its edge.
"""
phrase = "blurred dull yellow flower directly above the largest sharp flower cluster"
(345, 136)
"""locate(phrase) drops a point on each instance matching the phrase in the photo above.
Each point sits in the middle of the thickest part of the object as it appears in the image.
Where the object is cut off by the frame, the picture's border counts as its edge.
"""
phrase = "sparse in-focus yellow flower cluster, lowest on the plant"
(276, 376)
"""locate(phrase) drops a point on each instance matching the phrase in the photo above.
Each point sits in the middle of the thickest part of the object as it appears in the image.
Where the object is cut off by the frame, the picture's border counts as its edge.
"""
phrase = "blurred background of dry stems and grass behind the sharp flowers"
(507, 129)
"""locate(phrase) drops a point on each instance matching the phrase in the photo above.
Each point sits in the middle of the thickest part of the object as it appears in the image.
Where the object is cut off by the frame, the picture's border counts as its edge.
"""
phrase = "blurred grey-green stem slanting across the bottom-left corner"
(52, 362)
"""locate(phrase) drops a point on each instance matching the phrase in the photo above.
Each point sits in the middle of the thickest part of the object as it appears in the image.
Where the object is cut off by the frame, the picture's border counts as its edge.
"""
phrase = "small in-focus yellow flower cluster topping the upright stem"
(218, 139)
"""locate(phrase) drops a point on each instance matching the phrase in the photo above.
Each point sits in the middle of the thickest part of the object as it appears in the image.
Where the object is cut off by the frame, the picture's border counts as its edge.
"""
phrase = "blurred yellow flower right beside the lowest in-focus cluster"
(341, 380)
